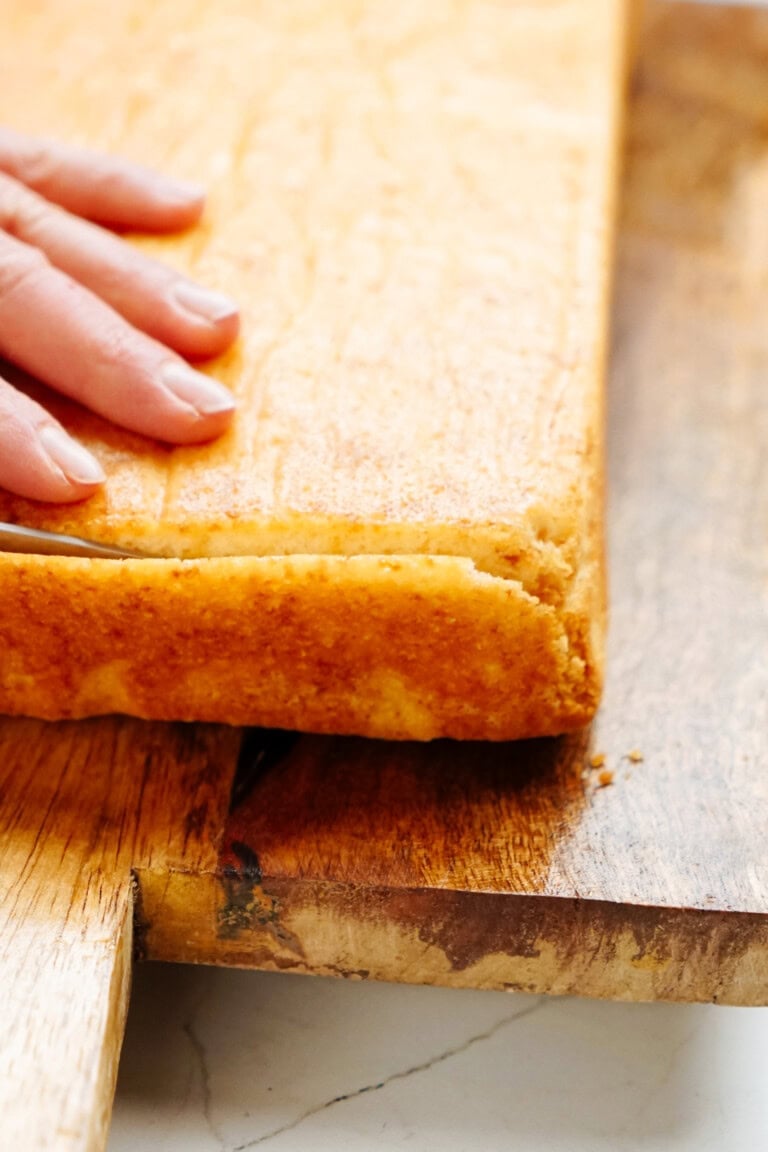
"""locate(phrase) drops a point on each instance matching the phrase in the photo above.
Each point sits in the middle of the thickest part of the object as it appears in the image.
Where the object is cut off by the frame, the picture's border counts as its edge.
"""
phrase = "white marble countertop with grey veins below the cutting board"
(226, 1062)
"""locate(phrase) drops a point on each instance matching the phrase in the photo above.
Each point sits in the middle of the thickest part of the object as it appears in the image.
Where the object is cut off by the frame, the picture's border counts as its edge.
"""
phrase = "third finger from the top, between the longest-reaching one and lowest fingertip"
(64, 335)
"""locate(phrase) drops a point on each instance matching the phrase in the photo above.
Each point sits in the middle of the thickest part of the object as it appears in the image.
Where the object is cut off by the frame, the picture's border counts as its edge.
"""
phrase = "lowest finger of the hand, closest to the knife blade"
(39, 460)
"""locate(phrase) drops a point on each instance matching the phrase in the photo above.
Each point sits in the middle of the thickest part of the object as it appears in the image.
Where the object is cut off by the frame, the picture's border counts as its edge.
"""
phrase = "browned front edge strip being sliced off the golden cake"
(397, 648)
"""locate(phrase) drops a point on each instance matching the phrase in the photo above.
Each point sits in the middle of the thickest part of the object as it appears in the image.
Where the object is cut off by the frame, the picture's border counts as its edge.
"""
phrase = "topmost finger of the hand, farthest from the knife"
(98, 187)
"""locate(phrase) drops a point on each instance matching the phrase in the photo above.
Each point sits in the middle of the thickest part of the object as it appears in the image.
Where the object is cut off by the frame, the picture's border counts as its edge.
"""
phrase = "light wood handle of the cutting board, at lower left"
(81, 806)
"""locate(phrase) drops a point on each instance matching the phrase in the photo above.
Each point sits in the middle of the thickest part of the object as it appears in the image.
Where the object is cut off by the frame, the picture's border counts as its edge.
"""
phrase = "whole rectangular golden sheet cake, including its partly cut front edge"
(402, 535)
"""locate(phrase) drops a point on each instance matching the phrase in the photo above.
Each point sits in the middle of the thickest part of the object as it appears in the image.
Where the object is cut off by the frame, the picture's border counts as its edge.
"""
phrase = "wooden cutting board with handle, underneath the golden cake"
(629, 862)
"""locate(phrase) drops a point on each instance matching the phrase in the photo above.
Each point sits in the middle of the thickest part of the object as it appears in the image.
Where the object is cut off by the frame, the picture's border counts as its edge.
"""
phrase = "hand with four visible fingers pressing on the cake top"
(96, 320)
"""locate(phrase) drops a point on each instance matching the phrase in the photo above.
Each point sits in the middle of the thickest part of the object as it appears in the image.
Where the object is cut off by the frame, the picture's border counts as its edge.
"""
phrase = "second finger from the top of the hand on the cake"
(197, 323)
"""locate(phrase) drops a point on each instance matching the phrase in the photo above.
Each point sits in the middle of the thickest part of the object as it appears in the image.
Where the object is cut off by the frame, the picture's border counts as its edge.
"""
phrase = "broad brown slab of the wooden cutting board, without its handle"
(647, 875)
